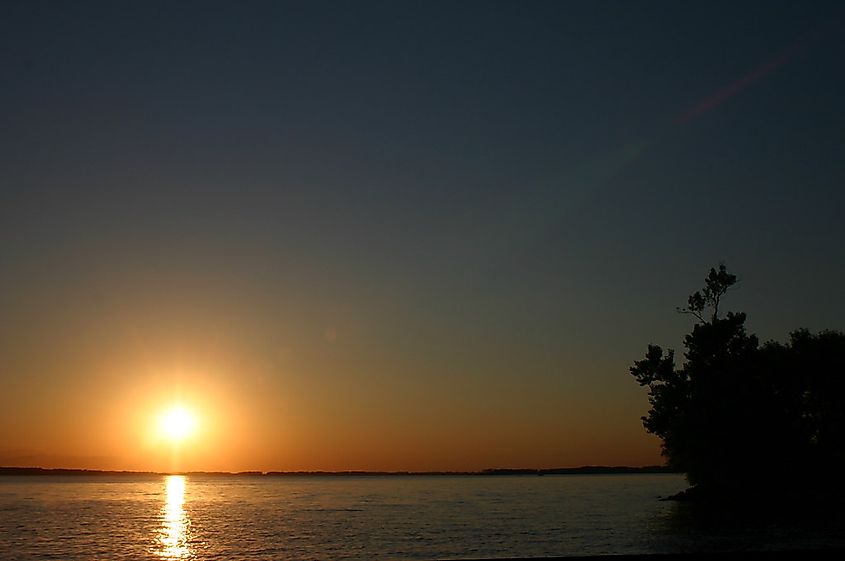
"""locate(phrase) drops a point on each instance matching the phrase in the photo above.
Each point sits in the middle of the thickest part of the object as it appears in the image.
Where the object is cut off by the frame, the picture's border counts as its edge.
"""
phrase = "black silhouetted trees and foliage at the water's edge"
(740, 417)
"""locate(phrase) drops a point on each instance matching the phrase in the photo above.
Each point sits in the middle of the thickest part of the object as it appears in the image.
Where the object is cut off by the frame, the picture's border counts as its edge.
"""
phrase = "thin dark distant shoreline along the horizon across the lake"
(583, 470)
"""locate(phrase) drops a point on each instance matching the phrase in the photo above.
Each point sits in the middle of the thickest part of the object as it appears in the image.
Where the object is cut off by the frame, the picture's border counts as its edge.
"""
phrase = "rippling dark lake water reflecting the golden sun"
(345, 518)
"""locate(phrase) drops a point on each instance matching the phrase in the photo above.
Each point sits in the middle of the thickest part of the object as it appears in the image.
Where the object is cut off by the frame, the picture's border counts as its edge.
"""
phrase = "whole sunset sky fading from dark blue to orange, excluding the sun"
(396, 235)
